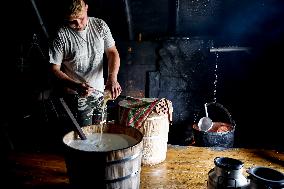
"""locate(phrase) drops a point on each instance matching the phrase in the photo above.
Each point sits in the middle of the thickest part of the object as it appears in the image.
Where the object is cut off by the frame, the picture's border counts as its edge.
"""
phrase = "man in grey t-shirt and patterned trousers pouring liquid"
(76, 57)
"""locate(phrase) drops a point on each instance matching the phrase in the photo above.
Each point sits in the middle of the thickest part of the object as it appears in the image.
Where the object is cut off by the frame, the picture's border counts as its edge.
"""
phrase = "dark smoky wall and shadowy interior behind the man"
(165, 52)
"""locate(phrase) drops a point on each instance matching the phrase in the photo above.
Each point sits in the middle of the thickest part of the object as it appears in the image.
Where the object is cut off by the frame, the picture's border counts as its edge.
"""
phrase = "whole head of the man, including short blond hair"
(76, 14)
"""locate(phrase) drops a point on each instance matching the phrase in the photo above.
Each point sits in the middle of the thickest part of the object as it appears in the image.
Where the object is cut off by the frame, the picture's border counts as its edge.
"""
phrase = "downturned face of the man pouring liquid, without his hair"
(79, 22)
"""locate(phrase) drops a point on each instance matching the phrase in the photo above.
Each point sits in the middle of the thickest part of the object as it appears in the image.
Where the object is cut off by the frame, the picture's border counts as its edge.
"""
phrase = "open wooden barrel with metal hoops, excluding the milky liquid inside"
(104, 169)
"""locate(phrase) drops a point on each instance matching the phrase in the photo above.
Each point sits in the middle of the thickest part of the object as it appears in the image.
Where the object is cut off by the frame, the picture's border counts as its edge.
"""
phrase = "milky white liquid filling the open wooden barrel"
(103, 142)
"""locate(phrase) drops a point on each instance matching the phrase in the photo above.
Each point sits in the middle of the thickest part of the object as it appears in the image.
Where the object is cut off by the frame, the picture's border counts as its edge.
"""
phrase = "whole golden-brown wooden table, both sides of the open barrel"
(184, 167)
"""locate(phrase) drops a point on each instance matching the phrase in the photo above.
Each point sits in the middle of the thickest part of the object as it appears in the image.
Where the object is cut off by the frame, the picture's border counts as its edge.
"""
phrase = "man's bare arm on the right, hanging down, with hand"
(113, 68)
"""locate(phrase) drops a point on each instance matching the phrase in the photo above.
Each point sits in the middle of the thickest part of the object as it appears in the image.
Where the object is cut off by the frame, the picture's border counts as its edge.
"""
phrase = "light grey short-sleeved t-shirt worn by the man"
(80, 53)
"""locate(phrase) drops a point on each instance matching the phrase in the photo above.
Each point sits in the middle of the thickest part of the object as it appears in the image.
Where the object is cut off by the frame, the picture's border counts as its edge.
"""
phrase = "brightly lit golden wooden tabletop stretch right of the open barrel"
(188, 167)
